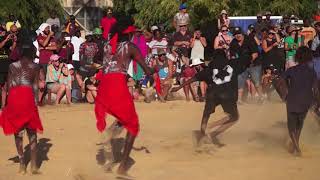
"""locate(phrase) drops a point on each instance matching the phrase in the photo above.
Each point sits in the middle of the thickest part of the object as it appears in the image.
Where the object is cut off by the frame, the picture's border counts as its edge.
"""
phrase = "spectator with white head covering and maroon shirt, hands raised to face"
(47, 44)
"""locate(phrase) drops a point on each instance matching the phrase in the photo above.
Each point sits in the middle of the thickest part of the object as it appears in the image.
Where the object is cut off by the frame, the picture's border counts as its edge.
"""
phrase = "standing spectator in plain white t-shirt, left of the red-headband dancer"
(76, 41)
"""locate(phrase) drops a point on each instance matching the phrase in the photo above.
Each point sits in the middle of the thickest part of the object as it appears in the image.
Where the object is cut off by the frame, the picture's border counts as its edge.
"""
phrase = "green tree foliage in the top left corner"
(30, 13)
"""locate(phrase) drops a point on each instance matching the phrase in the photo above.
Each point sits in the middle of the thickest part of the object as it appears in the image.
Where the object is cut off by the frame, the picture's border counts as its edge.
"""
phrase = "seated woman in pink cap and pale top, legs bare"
(54, 71)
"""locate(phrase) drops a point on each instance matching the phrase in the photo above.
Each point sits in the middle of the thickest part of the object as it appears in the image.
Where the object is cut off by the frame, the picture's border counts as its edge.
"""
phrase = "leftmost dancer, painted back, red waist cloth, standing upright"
(21, 112)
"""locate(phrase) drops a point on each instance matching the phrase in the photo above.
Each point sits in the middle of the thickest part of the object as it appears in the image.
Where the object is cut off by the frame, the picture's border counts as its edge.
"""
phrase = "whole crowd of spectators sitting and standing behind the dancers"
(69, 63)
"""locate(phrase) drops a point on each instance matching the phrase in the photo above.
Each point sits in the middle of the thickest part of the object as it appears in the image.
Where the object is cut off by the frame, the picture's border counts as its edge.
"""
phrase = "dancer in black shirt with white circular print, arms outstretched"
(222, 79)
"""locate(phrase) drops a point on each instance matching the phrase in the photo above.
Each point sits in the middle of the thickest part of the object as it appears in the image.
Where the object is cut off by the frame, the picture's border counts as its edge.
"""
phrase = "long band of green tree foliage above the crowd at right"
(202, 12)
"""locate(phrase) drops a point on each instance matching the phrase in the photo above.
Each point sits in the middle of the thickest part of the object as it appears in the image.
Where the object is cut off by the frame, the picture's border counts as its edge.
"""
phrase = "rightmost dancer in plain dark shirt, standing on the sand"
(300, 81)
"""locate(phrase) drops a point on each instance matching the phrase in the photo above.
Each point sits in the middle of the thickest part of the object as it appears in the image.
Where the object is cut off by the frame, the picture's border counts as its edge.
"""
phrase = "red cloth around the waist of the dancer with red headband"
(113, 98)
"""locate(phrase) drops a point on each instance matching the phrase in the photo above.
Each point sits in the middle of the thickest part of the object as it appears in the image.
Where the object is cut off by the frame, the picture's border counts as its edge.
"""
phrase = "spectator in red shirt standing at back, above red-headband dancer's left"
(107, 22)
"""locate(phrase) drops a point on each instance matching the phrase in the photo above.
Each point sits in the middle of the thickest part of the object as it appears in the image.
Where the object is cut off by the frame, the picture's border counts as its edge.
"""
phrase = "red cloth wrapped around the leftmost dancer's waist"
(20, 112)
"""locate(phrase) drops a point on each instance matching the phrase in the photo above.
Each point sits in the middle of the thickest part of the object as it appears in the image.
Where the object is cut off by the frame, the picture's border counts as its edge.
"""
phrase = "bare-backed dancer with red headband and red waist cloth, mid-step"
(113, 96)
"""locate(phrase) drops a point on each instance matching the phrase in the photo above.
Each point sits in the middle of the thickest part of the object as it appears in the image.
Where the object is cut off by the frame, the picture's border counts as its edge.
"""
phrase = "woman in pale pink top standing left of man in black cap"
(223, 40)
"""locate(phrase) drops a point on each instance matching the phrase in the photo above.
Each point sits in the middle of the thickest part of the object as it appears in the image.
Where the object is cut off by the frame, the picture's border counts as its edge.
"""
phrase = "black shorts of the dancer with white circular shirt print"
(228, 103)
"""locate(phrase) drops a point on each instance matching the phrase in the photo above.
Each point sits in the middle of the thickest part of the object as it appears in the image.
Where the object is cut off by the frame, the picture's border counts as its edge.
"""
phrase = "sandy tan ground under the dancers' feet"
(255, 146)
